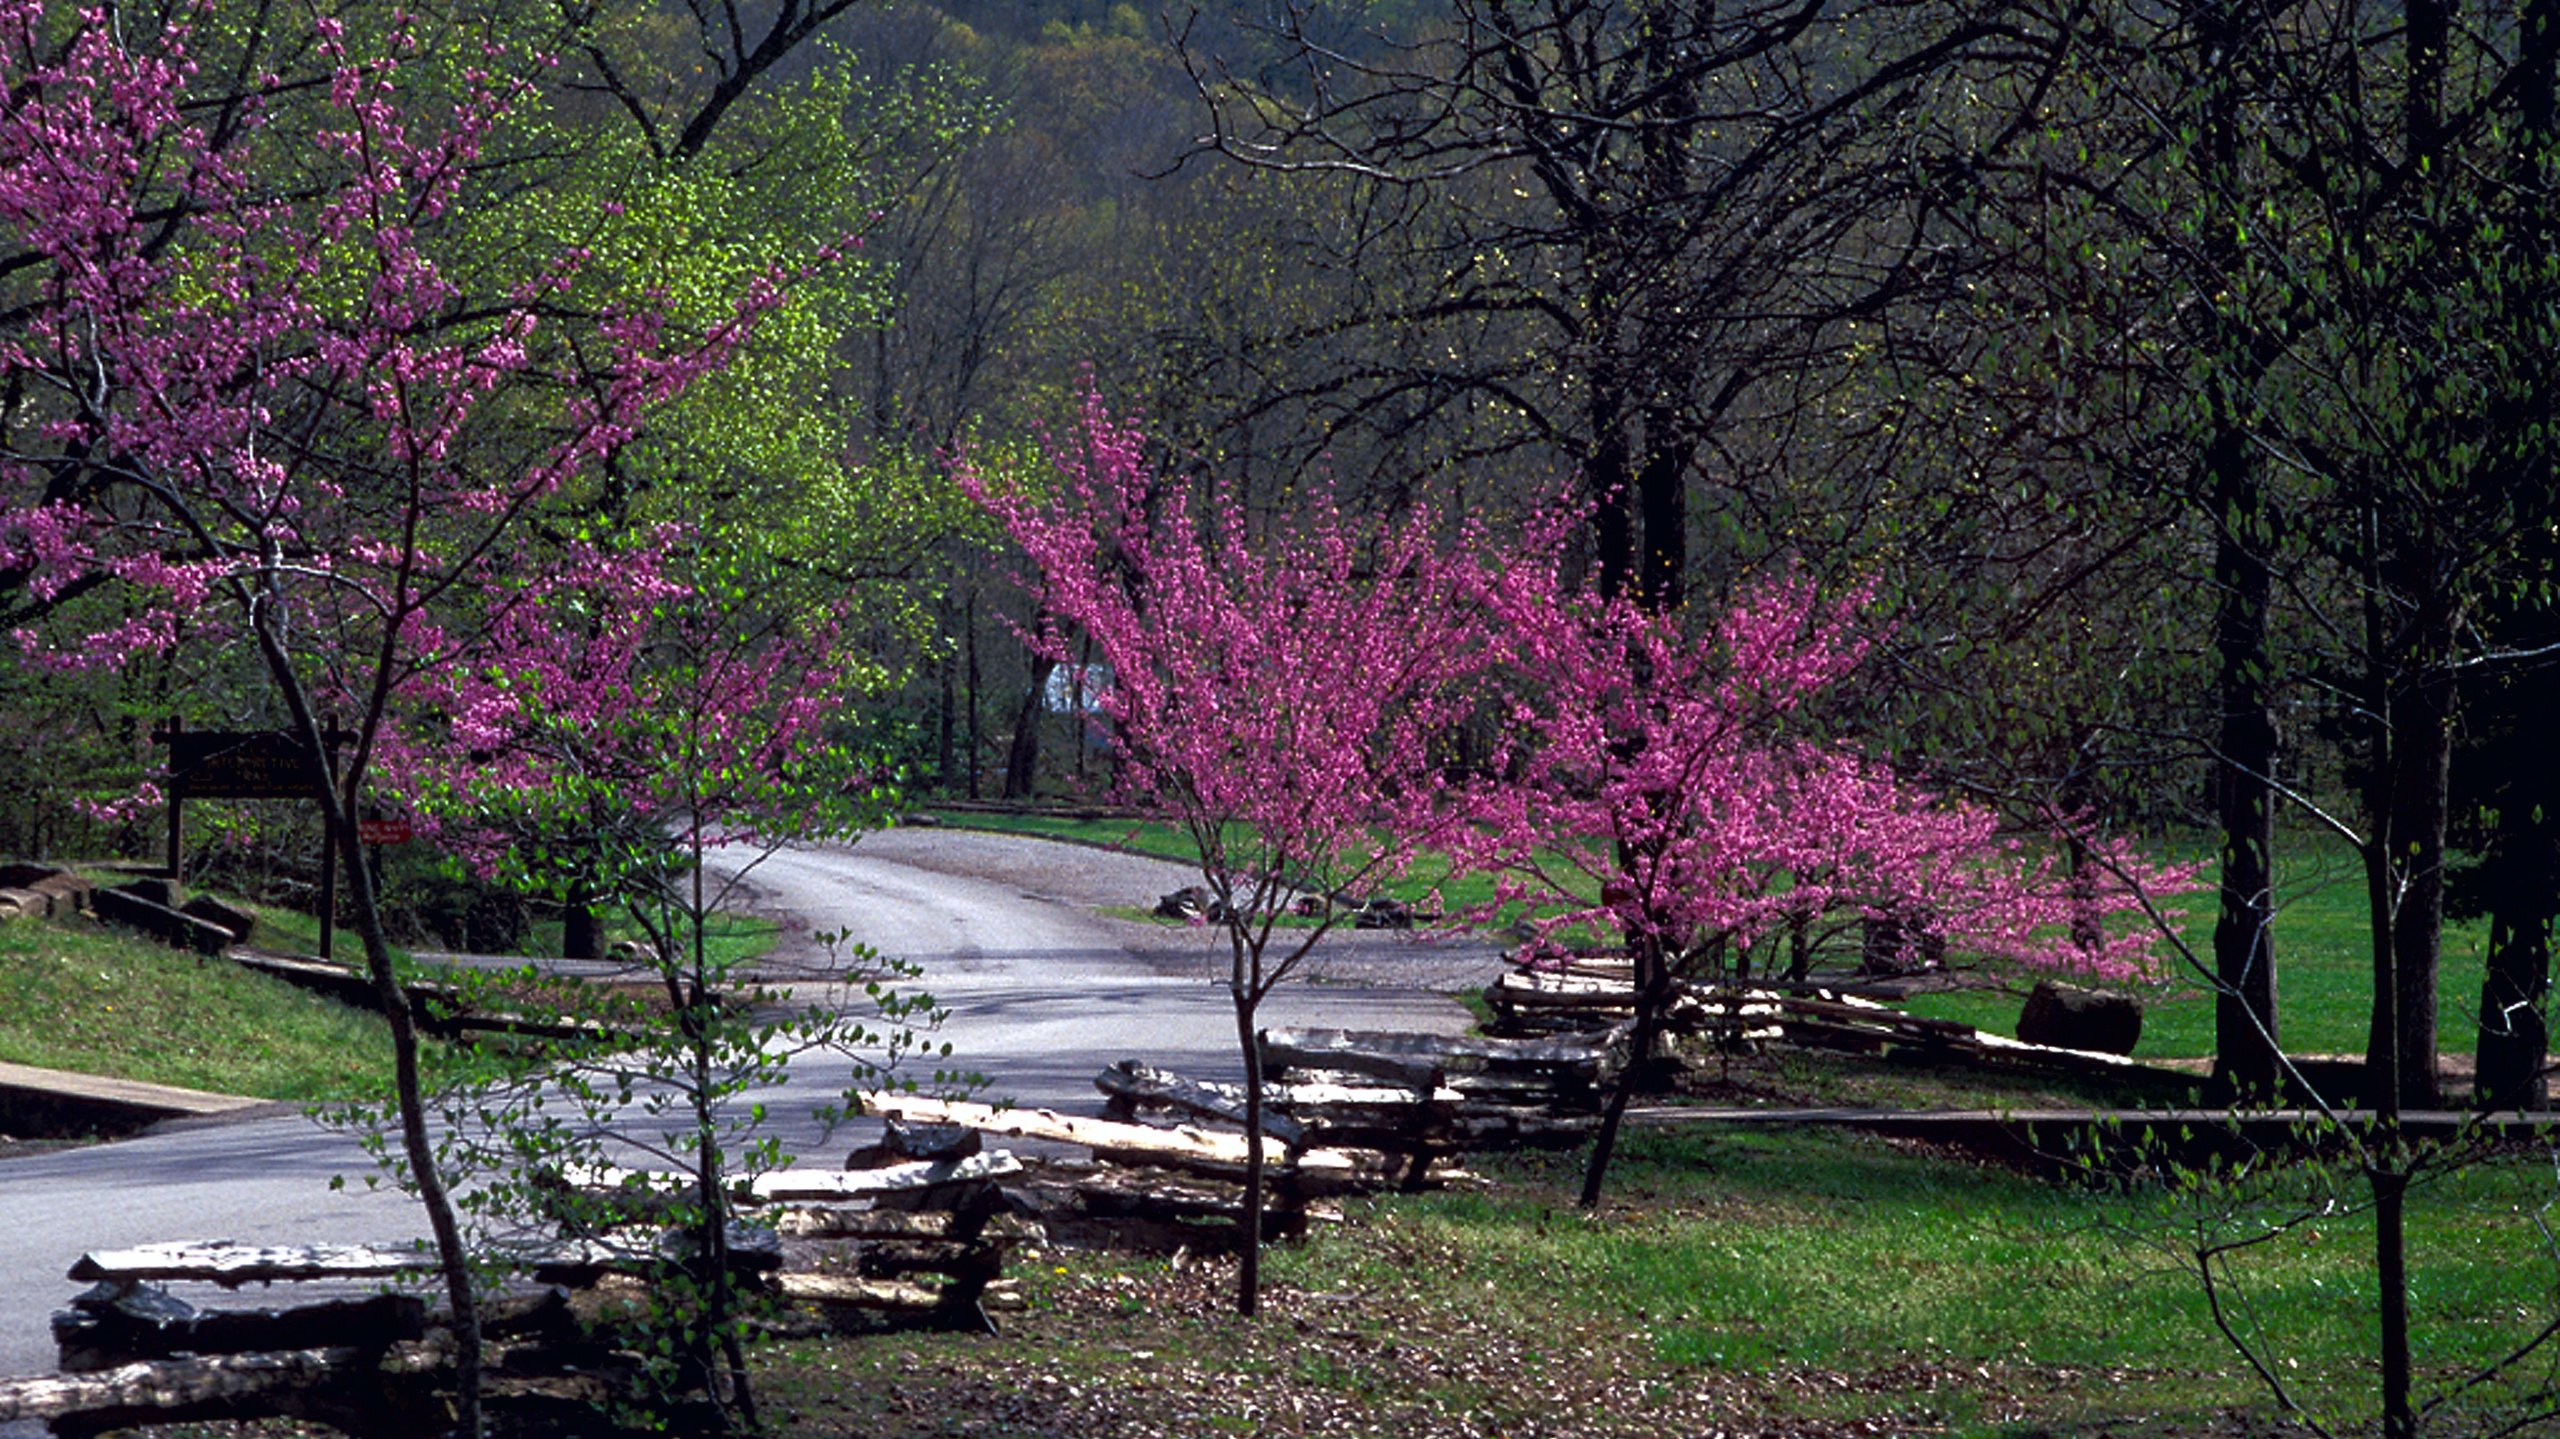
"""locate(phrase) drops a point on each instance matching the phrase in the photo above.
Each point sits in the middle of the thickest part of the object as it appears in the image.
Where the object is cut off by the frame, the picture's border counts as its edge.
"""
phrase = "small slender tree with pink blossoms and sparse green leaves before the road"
(641, 728)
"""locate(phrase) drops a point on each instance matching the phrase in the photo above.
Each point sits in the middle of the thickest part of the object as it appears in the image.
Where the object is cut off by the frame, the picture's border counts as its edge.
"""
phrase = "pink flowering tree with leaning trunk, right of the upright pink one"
(1673, 790)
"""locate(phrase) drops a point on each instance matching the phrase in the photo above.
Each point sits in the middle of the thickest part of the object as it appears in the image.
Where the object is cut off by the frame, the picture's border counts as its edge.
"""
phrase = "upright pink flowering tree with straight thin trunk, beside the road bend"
(1279, 687)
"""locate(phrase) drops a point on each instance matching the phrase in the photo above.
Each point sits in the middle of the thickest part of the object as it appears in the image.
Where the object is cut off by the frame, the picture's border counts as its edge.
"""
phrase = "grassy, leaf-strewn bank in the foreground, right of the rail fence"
(1747, 1284)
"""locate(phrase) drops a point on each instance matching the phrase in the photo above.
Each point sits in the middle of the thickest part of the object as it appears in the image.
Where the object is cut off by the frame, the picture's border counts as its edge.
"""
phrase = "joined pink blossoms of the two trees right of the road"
(1299, 677)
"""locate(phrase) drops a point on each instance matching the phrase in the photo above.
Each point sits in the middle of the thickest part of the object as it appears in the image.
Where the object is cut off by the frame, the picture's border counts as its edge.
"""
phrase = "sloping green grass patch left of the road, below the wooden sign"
(83, 997)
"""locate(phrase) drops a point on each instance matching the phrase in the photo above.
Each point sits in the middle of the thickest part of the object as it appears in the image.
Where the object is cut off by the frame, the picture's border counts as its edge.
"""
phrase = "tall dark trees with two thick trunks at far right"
(2349, 347)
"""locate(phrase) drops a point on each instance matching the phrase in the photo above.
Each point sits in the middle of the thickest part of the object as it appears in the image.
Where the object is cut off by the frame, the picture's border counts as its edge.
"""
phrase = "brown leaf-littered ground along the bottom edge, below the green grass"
(1161, 1356)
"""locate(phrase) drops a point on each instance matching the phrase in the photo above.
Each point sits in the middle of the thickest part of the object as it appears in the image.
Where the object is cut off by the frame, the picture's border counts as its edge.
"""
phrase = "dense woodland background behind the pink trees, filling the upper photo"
(2175, 373)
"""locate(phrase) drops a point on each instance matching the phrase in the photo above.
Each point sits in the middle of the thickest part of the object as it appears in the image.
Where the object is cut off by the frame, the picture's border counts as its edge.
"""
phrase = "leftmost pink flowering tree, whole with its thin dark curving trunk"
(260, 419)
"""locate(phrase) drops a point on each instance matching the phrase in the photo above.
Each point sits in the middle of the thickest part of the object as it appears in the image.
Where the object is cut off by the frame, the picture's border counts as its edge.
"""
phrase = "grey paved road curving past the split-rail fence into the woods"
(1041, 990)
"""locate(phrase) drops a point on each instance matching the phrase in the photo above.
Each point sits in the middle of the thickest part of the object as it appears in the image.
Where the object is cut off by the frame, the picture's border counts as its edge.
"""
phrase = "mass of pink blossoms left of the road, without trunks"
(275, 406)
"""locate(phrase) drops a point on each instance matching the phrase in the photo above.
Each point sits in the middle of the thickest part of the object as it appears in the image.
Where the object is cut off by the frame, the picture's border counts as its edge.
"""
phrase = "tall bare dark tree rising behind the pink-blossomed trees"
(1673, 211)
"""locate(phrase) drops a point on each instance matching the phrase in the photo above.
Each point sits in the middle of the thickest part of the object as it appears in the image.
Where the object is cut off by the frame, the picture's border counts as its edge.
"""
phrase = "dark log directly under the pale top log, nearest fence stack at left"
(116, 1328)
